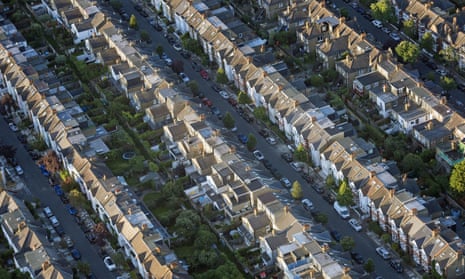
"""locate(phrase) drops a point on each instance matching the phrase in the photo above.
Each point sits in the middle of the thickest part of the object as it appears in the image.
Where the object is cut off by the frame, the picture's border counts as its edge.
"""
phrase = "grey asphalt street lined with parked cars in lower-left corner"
(39, 187)
